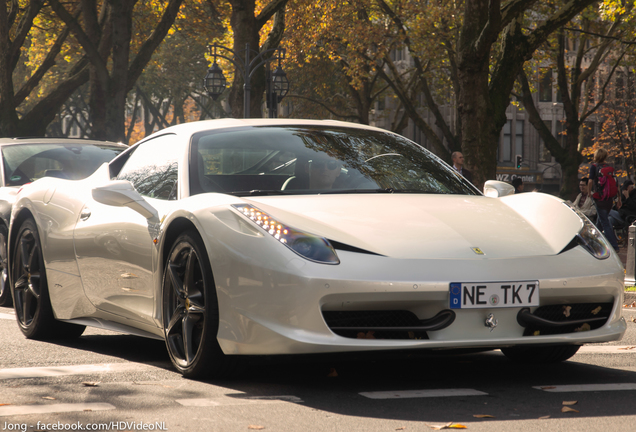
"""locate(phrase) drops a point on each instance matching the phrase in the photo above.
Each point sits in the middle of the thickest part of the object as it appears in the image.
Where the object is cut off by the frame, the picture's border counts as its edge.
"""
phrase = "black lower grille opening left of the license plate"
(358, 320)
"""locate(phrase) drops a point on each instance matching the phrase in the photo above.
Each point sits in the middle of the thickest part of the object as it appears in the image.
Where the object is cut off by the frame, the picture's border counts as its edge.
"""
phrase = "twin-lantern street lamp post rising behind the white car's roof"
(215, 82)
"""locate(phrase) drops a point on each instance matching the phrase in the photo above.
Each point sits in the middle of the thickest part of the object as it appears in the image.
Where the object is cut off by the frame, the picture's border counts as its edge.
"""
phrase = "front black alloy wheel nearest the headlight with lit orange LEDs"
(190, 311)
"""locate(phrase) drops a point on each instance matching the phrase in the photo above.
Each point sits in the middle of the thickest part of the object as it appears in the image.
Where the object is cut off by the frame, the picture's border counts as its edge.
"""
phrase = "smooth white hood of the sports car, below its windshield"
(426, 226)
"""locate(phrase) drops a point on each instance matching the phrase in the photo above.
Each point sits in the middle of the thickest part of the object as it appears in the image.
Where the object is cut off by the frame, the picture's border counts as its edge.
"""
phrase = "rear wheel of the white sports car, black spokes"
(30, 290)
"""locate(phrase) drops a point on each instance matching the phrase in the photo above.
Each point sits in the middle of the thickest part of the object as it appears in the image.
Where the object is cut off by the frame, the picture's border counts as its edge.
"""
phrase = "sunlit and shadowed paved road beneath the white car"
(128, 382)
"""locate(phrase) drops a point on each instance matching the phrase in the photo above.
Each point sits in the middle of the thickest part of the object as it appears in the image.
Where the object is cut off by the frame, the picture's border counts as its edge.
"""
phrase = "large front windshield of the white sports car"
(316, 159)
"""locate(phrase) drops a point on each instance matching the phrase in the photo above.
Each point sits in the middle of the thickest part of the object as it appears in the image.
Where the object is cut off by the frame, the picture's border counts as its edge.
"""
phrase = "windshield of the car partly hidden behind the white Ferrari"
(25, 163)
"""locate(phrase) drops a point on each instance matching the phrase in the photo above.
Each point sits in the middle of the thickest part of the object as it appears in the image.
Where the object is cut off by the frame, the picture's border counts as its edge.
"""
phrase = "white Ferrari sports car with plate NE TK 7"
(258, 237)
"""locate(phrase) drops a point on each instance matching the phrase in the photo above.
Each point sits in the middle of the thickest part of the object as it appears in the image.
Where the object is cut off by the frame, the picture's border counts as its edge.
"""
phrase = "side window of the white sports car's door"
(152, 168)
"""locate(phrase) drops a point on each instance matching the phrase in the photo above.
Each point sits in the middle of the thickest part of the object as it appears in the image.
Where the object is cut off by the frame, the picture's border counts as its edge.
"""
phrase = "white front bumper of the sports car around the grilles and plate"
(272, 302)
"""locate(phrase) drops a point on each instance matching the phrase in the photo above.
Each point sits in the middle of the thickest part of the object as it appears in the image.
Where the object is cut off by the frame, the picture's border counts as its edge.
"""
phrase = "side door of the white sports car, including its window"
(114, 246)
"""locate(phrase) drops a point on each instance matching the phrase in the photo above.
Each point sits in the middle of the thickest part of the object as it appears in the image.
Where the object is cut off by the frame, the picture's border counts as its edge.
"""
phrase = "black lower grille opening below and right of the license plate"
(563, 313)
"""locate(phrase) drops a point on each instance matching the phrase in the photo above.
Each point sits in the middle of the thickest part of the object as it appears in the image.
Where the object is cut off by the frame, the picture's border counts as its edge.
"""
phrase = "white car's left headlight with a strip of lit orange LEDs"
(309, 246)
